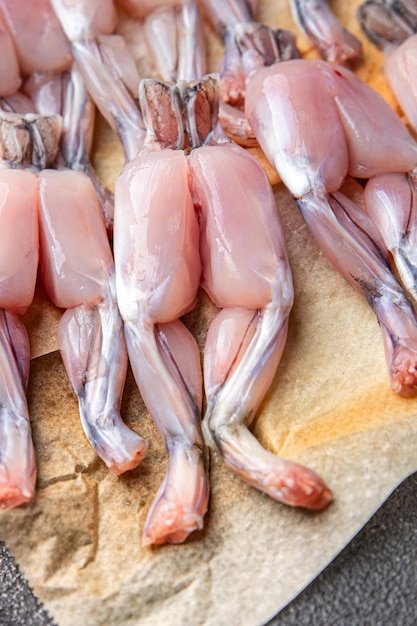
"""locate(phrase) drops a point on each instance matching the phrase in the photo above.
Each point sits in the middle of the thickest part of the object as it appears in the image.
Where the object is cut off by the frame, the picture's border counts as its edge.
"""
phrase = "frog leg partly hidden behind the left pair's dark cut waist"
(66, 94)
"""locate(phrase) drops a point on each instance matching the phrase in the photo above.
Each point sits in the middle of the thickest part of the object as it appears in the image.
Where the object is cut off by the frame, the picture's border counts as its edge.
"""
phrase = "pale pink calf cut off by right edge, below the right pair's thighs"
(390, 201)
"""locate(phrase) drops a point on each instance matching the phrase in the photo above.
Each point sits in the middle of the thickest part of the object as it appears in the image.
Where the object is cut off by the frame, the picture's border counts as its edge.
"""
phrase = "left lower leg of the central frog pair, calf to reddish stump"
(166, 364)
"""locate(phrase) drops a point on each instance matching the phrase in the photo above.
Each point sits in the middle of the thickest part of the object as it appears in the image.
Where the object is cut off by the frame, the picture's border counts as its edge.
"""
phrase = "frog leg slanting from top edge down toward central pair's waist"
(108, 69)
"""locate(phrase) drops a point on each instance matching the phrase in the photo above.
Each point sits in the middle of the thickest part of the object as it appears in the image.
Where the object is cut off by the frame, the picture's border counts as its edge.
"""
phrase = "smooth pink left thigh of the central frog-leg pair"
(160, 283)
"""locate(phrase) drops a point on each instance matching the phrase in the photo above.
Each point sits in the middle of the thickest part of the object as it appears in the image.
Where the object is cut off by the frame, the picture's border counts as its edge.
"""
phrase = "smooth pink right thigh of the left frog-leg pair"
(76, 269)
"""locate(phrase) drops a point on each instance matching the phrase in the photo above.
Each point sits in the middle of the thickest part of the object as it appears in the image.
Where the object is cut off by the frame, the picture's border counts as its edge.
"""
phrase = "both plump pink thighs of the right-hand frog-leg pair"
(360, 133)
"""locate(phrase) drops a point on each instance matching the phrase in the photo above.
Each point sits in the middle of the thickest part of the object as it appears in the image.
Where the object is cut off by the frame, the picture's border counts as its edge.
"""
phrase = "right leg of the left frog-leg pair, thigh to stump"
(78, 273)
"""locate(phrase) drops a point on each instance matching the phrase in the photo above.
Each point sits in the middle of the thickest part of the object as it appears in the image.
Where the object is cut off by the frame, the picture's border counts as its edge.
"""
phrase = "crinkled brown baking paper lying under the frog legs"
(329, 407)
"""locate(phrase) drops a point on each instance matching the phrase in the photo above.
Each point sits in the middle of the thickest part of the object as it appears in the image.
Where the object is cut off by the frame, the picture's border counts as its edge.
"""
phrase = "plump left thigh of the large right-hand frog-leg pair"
(306, 144)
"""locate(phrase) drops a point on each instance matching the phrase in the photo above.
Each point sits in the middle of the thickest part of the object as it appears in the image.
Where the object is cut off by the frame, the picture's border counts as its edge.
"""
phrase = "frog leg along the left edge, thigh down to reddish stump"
(18, 268)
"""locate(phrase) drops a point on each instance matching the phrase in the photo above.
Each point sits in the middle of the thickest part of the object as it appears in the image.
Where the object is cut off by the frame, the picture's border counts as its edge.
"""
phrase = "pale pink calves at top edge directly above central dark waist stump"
(176, 40)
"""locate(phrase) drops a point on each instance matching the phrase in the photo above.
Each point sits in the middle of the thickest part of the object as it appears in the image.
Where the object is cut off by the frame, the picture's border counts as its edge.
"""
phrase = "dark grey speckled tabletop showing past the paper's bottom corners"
(373, 581)
